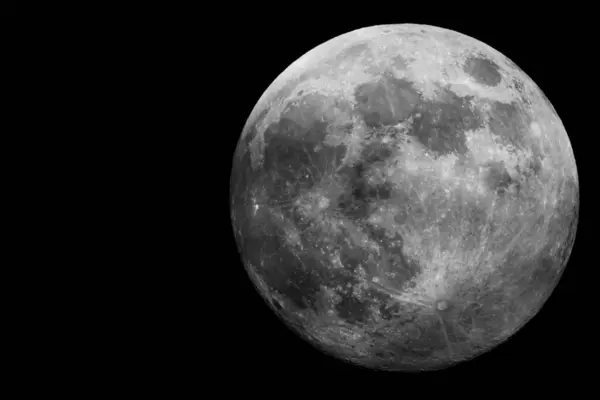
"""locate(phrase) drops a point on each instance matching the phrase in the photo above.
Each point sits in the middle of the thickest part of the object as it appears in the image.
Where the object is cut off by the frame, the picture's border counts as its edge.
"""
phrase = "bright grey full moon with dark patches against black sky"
(404, 197)
